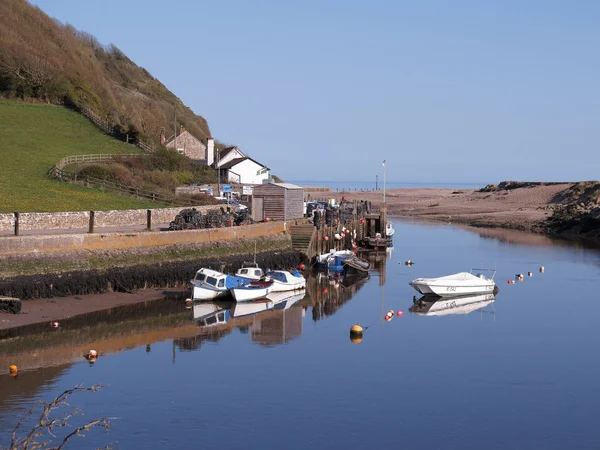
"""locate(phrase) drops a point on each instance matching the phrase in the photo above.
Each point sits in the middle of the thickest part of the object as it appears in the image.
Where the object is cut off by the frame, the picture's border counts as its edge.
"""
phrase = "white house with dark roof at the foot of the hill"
(235, 167)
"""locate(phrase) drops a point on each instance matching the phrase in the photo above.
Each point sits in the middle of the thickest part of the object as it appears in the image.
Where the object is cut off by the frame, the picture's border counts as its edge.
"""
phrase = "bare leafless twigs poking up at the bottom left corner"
(42, 434)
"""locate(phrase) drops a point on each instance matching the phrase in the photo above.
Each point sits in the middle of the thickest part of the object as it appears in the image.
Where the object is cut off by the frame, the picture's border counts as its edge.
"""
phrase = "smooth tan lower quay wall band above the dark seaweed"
(21, 245)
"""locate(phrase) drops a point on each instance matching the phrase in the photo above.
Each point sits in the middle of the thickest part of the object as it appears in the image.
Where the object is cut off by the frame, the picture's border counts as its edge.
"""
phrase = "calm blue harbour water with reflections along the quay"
(520, 372)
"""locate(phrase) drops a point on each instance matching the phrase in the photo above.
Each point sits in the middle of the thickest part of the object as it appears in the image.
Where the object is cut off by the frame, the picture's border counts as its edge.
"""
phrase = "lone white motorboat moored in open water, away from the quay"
(462, 283)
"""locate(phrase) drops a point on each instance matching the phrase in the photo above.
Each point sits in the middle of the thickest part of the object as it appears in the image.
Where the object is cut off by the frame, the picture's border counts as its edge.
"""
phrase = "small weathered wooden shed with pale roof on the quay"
(277, 201)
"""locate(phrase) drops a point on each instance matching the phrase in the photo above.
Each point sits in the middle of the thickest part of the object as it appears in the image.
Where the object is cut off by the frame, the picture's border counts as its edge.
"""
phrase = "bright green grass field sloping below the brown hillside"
(32, 139)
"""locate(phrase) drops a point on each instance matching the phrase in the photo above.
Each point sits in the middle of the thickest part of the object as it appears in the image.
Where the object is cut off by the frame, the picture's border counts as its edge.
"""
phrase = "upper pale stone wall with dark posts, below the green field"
(81, 219)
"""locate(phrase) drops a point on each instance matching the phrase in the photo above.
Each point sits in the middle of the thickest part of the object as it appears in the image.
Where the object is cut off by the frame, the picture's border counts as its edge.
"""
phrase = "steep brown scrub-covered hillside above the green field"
(42, 59)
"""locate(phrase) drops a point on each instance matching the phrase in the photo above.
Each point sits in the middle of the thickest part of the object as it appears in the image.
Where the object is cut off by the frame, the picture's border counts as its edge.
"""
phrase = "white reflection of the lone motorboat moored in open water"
(437, 306)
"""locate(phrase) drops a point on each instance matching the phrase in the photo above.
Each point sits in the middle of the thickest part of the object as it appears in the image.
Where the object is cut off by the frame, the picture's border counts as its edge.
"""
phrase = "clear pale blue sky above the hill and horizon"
(443, 90)
